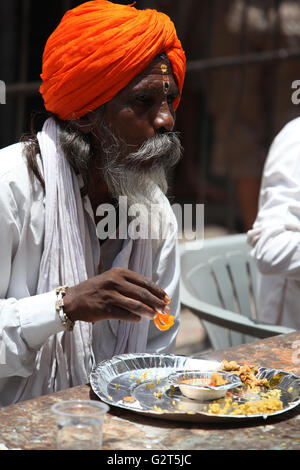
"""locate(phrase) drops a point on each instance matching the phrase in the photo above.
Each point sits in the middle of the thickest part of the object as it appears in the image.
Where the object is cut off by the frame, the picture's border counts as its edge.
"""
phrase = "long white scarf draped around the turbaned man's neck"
(65, 360)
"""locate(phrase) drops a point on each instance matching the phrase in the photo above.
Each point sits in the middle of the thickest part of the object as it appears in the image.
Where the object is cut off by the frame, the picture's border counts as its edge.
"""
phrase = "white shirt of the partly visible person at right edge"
(275, 236)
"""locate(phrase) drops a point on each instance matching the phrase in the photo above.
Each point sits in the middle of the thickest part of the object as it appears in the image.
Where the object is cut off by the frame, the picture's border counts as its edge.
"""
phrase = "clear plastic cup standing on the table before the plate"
(79, 424)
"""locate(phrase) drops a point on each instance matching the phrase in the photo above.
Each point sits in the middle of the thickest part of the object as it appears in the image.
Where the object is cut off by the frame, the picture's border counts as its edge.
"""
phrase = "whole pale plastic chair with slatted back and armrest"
(218, 284)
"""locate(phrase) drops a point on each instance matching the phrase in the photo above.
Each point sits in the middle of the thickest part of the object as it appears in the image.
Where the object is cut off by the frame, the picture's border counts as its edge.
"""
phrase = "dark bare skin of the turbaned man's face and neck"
(140, 111)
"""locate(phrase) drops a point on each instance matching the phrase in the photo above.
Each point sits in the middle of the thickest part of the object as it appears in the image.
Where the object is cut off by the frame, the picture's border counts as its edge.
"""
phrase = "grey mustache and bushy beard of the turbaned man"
(137, 173)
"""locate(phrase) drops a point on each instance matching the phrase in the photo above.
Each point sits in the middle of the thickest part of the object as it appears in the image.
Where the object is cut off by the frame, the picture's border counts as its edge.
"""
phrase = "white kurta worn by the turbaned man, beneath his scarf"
(27, 320)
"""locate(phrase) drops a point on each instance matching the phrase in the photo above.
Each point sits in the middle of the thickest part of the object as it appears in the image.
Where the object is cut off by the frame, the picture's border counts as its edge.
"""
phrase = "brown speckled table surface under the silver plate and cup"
(31, 425)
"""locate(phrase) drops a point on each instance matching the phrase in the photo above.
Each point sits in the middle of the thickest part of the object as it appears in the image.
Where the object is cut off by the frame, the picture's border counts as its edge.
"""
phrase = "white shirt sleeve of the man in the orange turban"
(25, 323)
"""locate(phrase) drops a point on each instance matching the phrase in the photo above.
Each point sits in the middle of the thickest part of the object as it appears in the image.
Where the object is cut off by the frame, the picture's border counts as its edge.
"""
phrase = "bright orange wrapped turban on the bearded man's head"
(97, 50)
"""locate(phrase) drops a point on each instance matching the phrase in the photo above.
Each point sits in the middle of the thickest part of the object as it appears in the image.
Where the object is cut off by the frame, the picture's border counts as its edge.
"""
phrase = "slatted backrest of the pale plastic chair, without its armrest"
(222, 273)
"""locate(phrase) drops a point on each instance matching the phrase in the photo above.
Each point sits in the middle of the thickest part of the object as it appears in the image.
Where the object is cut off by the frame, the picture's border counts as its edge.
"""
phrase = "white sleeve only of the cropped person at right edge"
(275, 236)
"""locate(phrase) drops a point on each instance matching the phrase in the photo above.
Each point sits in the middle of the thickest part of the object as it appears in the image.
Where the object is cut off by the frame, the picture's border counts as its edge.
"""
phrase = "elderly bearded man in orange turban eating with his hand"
(112, 80)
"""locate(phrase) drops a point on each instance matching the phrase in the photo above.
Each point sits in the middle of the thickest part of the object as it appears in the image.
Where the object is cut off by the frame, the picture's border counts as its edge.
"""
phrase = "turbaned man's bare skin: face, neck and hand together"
(140, 111)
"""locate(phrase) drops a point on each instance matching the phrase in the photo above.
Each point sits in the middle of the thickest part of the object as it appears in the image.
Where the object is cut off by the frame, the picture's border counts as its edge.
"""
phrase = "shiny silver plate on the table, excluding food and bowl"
(144, 378)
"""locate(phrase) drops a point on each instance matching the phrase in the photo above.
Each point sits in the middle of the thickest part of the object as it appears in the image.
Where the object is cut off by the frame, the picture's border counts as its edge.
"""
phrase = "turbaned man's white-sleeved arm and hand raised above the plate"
(27, 323)
